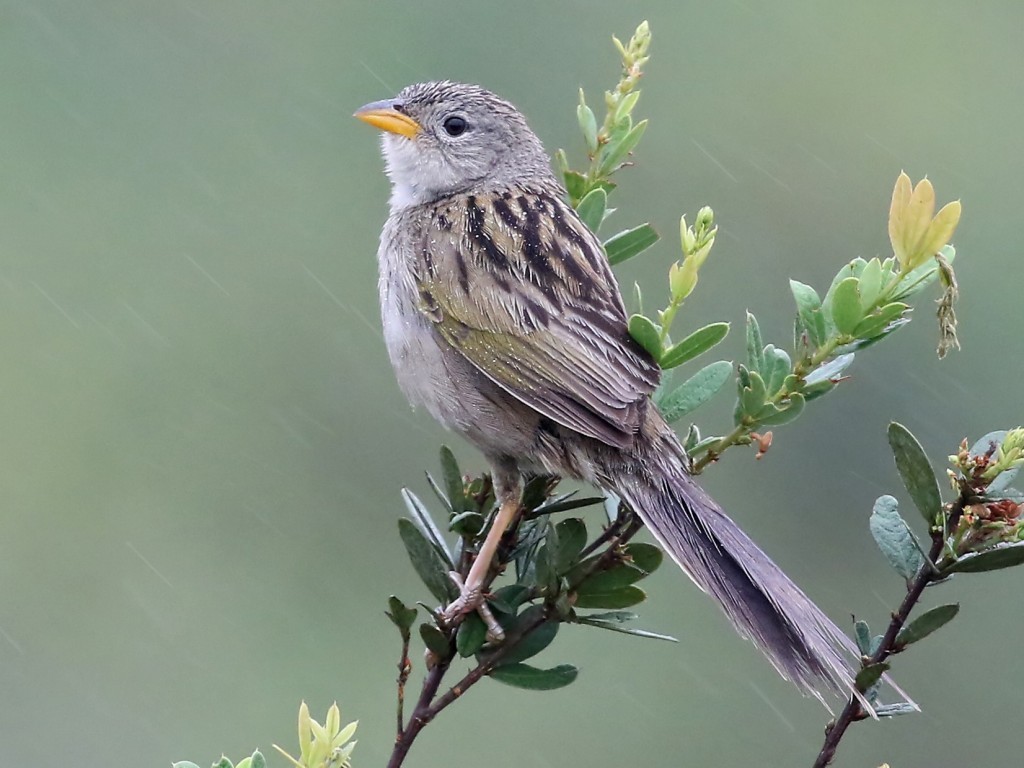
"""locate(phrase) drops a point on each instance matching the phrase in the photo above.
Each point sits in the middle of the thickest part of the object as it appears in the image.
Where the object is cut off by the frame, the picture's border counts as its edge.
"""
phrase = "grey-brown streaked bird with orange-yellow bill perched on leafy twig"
(503, 320)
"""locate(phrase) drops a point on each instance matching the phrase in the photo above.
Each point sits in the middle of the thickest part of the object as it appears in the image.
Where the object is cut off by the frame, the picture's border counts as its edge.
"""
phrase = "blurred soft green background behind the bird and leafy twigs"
(203, 444)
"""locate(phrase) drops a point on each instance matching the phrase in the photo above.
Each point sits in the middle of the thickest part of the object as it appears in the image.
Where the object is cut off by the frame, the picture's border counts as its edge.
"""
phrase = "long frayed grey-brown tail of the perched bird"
(761, 602)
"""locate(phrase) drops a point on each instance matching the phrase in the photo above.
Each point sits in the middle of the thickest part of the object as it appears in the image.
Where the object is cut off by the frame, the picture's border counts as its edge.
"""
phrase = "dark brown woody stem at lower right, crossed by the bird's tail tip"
(854, 710)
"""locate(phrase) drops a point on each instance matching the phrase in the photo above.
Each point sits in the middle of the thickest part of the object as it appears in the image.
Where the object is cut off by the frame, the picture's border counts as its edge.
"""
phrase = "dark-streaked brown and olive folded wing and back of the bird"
(520, 287)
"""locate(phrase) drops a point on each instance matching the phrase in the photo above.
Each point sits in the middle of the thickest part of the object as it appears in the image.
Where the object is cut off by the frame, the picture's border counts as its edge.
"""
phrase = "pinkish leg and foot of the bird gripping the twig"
(508, 489)
